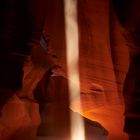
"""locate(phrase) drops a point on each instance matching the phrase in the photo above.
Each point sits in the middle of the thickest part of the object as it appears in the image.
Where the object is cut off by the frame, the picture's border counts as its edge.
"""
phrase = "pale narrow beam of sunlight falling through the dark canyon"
(77, 124)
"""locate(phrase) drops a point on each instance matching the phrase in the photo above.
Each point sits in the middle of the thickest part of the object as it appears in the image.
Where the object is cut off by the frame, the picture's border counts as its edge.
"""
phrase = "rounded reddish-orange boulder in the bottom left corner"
(20, 120)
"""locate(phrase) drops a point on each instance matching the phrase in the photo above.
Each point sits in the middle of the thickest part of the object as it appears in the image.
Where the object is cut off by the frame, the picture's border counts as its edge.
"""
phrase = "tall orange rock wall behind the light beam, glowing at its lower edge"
(103, 60)
